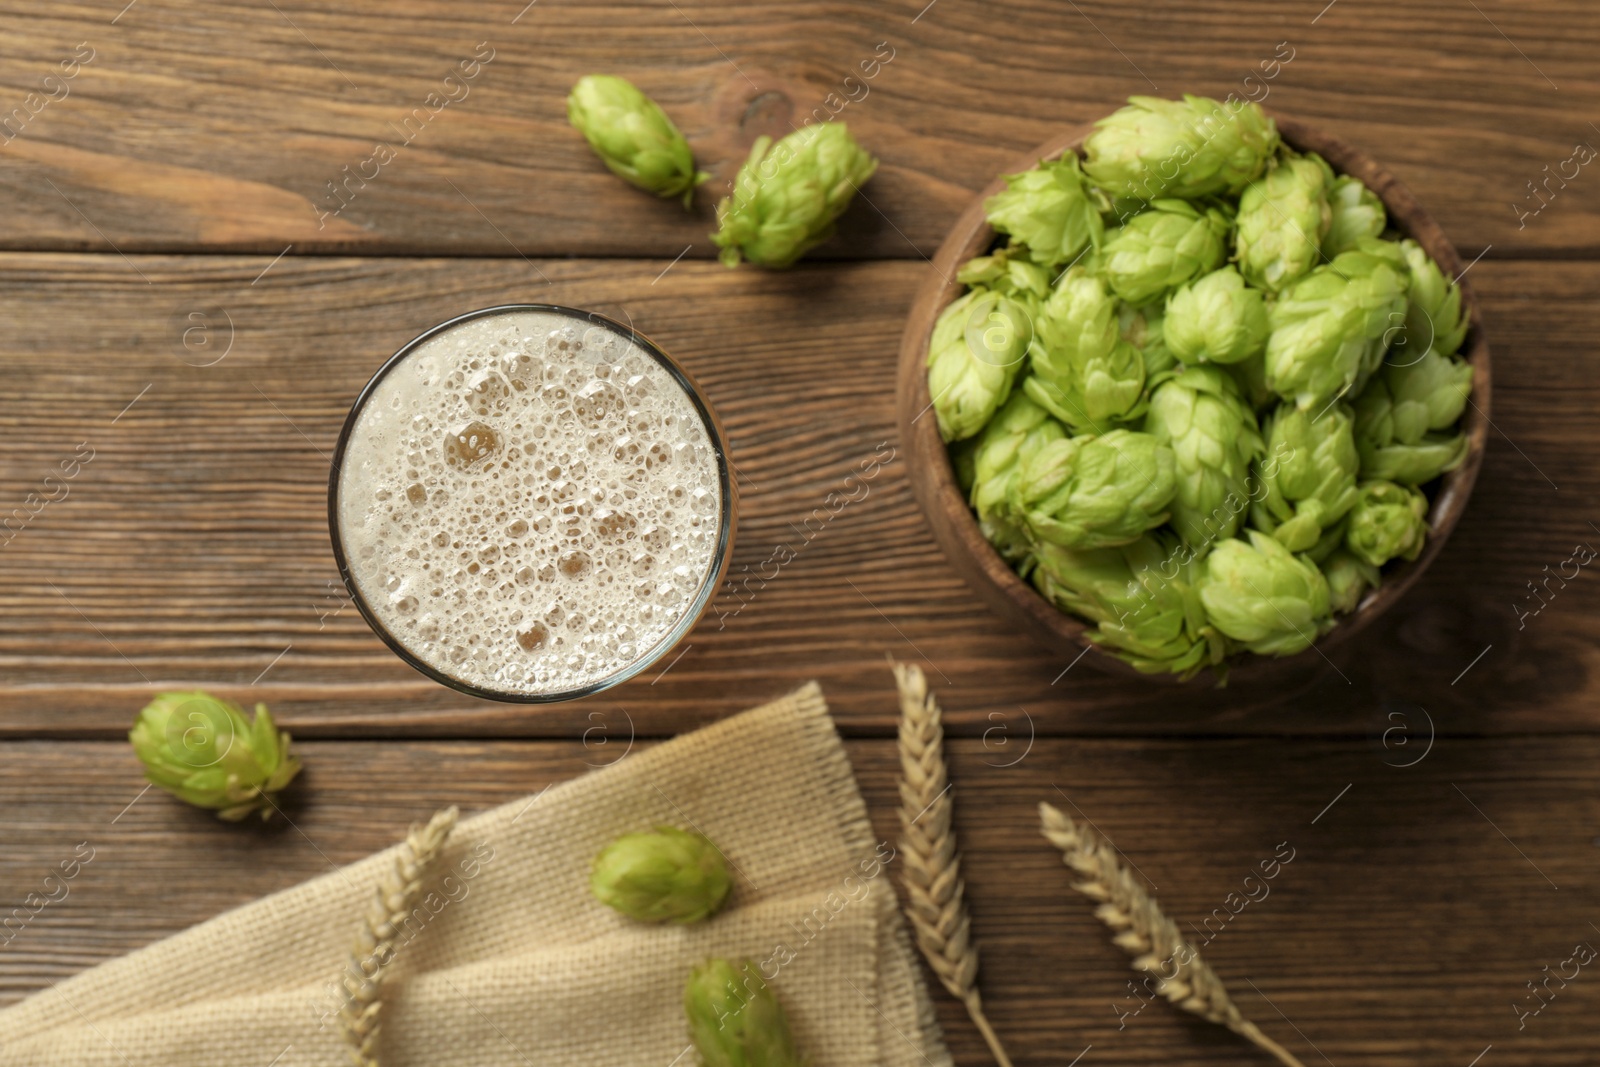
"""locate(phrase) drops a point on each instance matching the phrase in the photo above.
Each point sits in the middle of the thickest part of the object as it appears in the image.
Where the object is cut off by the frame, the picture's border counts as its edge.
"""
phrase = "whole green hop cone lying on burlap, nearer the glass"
(666, 876)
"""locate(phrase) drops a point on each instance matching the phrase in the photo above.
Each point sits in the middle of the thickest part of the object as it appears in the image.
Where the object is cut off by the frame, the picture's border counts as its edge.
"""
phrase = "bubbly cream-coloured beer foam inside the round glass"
(530, 503)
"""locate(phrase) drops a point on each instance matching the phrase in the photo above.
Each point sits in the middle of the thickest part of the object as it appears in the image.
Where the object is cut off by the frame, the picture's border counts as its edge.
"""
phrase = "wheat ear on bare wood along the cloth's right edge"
(932, 869)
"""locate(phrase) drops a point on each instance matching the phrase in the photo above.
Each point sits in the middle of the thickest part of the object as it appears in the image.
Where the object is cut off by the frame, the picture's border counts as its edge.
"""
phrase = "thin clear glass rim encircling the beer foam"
(726, 526)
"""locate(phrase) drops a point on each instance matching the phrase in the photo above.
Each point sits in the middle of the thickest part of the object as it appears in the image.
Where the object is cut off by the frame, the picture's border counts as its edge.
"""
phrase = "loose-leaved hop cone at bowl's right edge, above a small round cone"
(1399, 417)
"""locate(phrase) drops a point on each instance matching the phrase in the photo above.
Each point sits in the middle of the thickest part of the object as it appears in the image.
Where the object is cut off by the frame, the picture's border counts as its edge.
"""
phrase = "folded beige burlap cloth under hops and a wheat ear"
(511, 962)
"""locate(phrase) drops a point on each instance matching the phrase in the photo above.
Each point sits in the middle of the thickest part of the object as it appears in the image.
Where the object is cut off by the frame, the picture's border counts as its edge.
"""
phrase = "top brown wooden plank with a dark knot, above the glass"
(230, 126)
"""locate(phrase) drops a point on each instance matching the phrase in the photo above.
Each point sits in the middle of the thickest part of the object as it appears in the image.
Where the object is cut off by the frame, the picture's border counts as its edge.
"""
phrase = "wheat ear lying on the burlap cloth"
(377, 938)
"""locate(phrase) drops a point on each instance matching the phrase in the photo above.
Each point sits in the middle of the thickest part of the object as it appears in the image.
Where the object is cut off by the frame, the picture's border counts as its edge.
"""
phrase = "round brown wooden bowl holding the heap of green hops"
(956, 527)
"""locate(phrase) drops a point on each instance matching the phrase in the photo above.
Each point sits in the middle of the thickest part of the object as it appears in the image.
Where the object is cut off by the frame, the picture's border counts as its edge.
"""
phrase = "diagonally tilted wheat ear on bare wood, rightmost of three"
(1146, 933)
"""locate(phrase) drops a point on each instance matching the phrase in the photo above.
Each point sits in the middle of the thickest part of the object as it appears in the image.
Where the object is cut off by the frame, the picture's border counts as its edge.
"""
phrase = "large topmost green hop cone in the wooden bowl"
(1190, 148)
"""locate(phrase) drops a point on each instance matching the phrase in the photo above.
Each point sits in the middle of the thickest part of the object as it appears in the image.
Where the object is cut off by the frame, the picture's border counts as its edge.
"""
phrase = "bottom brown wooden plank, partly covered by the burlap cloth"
(1415, 909)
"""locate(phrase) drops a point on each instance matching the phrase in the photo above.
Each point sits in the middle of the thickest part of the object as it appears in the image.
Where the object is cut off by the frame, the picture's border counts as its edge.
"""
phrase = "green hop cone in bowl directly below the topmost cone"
(1162, 247)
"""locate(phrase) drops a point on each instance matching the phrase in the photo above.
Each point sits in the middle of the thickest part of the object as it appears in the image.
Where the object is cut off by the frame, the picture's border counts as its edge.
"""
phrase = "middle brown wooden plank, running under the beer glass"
(193, 549)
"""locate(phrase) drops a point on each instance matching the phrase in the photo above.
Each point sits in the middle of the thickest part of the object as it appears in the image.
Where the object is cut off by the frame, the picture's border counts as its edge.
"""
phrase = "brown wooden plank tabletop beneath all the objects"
(180, 302)
